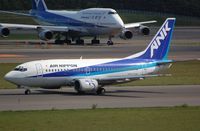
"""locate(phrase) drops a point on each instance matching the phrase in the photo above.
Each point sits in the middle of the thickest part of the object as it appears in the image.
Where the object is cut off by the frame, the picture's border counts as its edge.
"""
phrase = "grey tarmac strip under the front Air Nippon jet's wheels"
(115, 97)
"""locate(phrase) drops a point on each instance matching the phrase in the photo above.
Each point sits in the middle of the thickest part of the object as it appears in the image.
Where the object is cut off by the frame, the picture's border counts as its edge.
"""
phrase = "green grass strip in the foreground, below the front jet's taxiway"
(138, 119)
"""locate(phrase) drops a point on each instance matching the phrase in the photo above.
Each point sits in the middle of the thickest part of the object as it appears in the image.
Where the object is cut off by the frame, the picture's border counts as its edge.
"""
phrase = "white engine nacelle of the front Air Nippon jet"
(86, 85)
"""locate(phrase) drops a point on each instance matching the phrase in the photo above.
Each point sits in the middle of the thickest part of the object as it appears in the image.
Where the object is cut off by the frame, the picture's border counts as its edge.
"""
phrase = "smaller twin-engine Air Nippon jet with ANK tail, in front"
(90, 75)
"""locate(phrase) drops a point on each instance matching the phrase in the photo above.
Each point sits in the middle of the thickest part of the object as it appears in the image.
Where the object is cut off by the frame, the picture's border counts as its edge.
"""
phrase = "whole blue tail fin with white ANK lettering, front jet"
(159, 46)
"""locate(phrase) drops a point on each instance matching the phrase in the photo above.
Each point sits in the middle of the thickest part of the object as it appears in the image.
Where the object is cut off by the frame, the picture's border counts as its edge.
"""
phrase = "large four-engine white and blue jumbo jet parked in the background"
(72, 25)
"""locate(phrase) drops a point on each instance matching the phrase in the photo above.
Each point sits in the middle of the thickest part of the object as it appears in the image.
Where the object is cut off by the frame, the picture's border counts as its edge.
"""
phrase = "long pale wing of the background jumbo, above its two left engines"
(34, 27)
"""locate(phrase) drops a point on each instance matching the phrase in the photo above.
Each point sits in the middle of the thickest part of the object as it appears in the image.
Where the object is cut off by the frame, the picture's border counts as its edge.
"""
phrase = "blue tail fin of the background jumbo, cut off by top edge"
(39, 5)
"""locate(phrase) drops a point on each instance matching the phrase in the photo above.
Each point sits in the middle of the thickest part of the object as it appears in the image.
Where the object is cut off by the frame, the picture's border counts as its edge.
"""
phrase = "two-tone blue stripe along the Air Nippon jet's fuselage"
(107, 68)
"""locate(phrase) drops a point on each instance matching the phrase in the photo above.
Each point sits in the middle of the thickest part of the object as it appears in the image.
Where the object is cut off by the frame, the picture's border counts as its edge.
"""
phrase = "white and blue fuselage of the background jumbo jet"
(93, 21)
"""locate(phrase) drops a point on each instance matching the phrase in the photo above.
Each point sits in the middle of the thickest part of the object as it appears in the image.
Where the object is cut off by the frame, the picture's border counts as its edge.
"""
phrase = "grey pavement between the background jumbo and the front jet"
(185, 45)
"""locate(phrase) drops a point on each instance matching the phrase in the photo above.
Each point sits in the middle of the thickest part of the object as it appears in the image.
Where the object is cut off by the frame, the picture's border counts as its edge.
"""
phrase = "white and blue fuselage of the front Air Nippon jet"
(57, 73)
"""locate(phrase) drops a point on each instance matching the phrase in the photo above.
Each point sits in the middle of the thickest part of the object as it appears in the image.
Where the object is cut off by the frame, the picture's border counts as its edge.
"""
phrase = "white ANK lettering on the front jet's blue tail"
(156, 43)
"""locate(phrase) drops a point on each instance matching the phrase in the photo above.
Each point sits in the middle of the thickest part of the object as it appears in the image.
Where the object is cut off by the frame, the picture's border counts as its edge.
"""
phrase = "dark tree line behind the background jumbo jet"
(180, 7)
